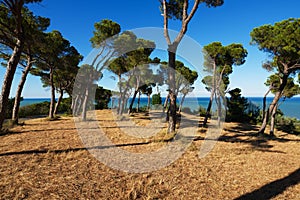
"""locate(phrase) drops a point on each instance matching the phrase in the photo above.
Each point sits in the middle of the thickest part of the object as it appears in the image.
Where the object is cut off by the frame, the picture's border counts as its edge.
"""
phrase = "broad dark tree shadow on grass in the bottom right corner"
(274, 188)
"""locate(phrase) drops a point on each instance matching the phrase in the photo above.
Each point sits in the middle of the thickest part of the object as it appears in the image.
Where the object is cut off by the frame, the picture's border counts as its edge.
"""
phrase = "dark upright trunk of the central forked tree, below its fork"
(171, 74)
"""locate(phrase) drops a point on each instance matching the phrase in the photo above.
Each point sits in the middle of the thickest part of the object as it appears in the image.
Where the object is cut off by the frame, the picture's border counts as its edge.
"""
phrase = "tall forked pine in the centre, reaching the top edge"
(178, 10)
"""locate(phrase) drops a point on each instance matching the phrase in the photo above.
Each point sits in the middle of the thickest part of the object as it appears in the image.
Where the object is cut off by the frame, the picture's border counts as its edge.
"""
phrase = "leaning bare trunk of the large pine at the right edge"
(274, 103)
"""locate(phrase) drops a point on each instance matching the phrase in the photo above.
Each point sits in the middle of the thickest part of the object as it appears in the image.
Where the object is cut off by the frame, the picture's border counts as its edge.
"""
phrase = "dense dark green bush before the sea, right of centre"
(239, 109)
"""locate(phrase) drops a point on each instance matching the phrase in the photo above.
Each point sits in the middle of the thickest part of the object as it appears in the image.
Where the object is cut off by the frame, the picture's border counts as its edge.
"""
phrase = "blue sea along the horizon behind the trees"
(290, 107)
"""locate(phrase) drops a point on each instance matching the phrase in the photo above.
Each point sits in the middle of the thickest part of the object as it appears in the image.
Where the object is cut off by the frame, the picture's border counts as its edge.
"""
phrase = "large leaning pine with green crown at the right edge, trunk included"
(282, 42)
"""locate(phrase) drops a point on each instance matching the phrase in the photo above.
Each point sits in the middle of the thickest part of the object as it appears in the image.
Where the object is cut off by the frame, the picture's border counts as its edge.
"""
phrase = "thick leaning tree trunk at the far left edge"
(8, 78)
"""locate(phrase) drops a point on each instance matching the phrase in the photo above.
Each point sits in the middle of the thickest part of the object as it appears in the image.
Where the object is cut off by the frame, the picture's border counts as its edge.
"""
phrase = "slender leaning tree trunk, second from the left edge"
(15, 113)
